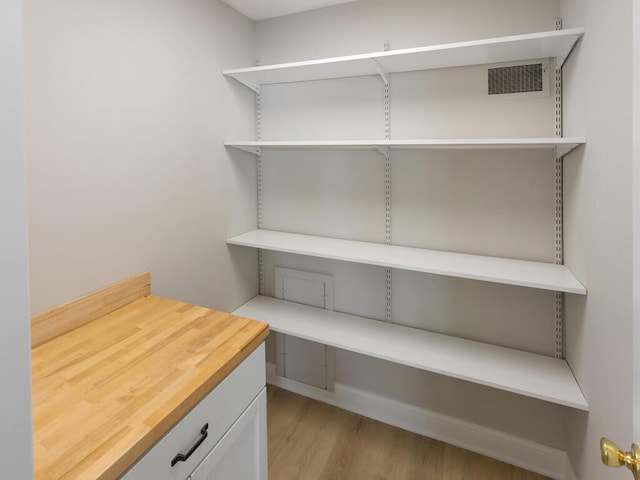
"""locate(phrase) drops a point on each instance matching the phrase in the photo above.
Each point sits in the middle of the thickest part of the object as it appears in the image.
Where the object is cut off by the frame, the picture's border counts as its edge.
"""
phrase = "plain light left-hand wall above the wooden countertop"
(126, 113)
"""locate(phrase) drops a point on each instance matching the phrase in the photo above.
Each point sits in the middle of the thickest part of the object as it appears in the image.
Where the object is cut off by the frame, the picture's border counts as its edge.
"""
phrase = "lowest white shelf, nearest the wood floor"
(519, 372)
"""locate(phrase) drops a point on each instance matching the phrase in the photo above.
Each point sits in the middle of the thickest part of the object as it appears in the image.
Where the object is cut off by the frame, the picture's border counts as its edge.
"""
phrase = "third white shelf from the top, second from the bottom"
(545, 276)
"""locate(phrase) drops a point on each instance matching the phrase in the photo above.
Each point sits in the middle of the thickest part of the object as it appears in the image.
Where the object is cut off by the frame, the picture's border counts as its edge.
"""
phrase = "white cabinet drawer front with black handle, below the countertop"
(219, 409)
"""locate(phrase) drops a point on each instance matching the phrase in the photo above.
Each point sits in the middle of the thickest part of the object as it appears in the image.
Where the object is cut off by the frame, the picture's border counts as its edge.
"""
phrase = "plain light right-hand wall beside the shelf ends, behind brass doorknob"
(598, 228)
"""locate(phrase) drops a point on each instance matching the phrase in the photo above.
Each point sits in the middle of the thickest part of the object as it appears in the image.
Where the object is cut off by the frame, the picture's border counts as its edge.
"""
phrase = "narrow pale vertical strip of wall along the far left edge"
(15, 363)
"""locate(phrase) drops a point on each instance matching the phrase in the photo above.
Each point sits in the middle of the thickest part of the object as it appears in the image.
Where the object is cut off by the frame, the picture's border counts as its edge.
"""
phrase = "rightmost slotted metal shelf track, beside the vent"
(559, 260)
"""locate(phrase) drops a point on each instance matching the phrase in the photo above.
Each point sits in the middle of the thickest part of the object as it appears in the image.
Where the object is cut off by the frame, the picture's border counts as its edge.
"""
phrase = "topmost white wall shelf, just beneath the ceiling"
(557, 43)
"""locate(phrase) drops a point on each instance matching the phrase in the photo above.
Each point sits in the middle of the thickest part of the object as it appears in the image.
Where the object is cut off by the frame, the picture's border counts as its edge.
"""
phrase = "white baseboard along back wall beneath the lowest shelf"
(504, 447)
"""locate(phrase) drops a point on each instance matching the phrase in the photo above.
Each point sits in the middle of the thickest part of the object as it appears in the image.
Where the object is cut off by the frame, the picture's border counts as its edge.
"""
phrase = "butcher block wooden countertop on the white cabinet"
(106, 391)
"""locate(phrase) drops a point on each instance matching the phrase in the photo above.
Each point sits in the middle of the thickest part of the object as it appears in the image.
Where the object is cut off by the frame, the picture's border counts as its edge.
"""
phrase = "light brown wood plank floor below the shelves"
(309, 440)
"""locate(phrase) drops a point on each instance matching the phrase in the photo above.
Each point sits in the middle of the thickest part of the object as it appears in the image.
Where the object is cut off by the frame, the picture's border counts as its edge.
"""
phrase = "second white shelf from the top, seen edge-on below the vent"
(561, 146)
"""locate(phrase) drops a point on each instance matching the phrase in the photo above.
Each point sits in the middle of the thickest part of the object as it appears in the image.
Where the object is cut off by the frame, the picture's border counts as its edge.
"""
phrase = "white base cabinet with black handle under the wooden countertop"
(235, 408)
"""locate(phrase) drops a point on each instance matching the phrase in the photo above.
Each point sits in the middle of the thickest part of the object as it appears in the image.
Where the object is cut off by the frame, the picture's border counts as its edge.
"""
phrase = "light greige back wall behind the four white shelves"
(493, 203)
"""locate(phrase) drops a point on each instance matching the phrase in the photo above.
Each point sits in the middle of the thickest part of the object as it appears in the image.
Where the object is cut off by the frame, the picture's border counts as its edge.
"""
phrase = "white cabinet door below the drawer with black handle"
(242, 452)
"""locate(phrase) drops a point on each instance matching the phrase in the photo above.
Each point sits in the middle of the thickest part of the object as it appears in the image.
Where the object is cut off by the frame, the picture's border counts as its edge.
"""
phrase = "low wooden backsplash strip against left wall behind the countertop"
(59, 320)
